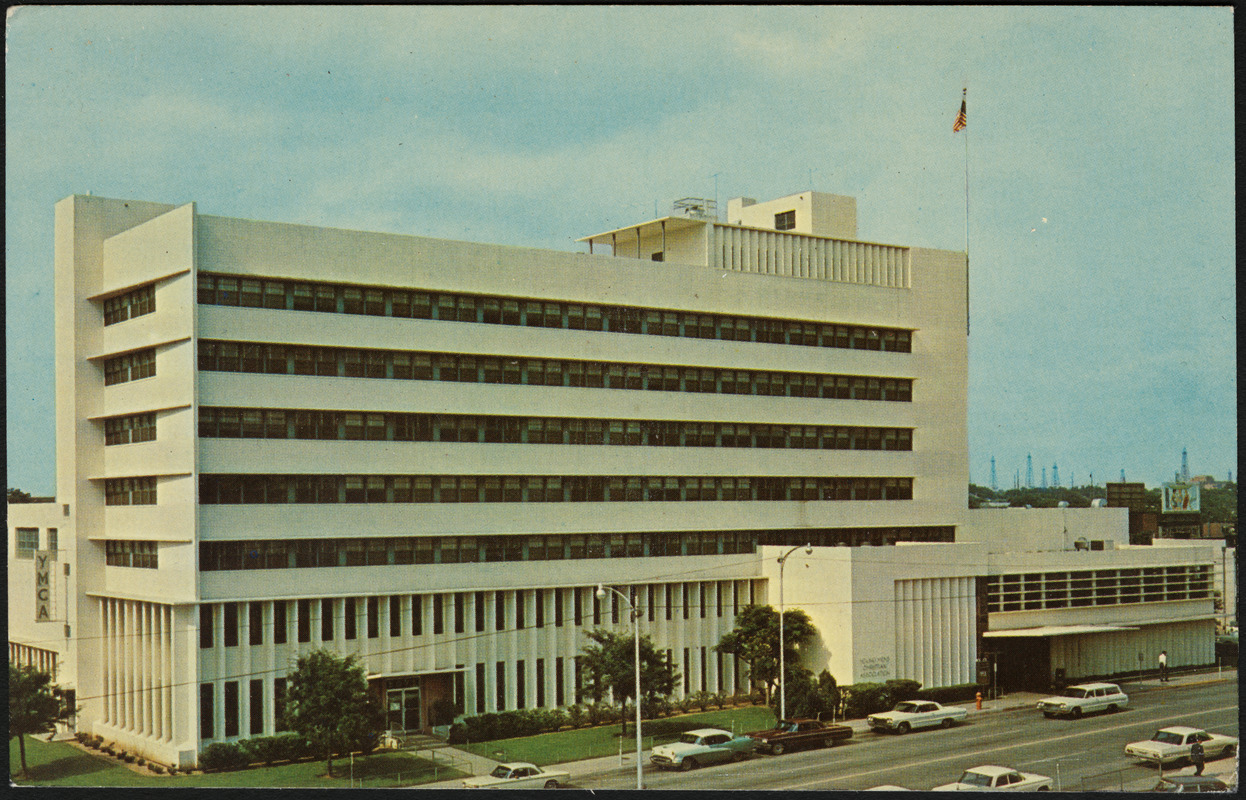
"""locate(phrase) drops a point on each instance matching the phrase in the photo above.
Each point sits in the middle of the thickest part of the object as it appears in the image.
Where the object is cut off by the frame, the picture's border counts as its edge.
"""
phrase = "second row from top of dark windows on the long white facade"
(278, 360)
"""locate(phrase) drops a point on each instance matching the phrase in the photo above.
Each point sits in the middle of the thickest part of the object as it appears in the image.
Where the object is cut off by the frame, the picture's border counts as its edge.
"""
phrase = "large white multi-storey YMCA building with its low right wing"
(276, 438)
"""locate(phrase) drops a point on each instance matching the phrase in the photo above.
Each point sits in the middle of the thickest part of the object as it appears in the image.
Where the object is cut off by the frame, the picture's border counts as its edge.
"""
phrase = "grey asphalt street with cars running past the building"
(1082, 755)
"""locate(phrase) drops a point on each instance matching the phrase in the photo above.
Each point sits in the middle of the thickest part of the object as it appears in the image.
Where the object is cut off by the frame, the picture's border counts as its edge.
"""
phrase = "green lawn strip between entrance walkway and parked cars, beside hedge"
(591, 743)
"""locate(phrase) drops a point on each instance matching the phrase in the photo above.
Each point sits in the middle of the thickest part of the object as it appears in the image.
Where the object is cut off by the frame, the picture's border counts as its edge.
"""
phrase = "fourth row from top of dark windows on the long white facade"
(403, 489)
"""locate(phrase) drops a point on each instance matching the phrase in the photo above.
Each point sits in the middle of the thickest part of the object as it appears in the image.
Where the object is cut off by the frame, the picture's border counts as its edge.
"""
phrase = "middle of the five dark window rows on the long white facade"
(377, 427)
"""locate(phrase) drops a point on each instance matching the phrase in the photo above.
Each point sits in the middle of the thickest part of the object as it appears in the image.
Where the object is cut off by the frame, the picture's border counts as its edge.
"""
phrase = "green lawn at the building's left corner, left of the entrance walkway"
(59, 764)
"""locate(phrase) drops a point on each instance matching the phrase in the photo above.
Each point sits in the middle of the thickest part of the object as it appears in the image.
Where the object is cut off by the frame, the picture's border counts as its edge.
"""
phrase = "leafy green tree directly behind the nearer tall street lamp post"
(609, 666)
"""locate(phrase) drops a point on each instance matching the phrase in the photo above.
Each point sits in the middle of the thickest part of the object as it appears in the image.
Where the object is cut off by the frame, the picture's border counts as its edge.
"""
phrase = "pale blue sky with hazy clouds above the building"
(1100, 160)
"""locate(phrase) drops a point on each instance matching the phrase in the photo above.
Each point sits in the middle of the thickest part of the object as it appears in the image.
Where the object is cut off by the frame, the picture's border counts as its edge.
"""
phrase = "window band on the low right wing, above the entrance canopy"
(1098, 588)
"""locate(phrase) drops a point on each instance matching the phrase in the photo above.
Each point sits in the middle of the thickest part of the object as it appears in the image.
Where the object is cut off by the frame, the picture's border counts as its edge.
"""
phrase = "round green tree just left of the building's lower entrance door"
(328, 703)
